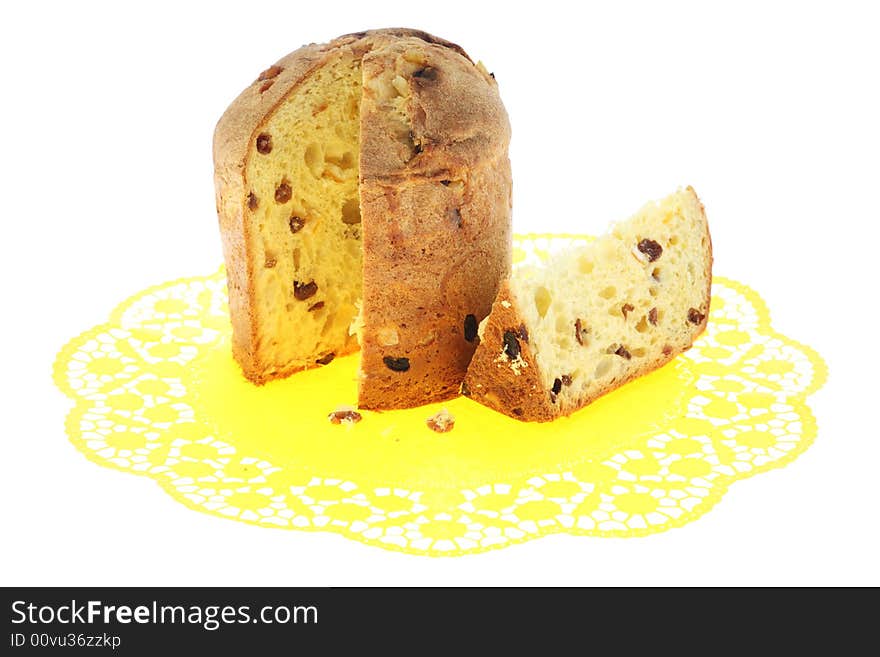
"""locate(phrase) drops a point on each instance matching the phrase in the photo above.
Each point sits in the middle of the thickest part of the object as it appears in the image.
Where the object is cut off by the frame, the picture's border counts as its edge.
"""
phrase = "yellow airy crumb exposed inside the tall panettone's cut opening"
(302, 182)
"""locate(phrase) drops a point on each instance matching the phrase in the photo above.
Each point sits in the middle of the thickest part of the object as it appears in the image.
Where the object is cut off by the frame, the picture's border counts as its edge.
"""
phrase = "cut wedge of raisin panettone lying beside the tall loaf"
(597, 316)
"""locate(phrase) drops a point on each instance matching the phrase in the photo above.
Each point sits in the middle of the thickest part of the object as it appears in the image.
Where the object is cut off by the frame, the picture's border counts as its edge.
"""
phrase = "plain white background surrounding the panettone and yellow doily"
(769, 110)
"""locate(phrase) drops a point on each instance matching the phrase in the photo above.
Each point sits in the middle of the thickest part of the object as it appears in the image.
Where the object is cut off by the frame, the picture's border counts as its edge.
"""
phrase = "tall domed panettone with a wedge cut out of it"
(364, 198)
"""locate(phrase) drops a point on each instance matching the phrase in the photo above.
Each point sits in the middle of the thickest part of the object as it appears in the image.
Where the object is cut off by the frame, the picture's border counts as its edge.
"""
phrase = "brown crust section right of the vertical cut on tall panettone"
(435, 203)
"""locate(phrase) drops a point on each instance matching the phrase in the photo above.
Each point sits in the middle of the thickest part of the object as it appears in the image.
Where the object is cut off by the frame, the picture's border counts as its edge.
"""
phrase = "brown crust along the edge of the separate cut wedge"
(519, 391)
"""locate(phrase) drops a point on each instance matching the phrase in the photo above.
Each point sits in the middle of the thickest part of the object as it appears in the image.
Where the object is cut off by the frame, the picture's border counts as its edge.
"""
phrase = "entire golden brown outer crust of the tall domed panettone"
(462, 131)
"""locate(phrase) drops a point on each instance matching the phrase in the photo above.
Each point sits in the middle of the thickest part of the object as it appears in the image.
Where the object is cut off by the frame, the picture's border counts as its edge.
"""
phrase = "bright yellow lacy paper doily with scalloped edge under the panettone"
(157, 394)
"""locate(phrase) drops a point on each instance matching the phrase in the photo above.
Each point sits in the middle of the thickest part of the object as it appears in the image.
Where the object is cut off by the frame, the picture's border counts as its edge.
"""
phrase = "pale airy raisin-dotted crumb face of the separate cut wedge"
(596, 313)
